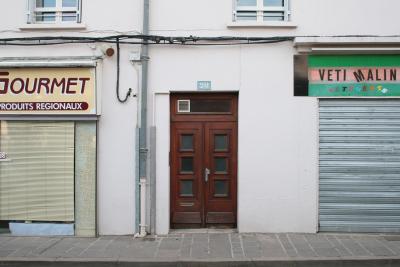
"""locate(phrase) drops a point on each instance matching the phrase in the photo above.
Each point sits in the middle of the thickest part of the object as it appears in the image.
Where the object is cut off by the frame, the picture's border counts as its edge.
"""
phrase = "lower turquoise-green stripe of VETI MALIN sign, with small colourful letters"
(354, 89)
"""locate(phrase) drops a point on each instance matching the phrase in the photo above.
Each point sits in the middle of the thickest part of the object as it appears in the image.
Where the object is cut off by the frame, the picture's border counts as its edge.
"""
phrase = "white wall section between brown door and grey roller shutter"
(277, 146)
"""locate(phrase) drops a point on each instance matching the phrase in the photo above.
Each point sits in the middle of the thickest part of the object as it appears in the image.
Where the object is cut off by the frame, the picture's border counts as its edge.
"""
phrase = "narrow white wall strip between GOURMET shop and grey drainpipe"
(116, 154)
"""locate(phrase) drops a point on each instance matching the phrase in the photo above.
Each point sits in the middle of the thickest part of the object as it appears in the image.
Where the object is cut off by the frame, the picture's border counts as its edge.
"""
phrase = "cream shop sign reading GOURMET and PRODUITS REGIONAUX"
(47, 91)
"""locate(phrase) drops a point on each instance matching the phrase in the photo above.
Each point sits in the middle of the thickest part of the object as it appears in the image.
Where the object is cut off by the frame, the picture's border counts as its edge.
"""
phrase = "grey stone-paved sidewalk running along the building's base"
(212, 248)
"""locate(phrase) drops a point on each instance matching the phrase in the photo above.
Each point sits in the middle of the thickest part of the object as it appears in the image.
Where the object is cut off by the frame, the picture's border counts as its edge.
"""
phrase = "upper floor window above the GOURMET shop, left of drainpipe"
(54, 11)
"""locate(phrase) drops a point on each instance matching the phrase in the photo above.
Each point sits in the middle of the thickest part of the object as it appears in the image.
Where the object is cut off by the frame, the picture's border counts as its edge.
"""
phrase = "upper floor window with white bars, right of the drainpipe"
(261, 10)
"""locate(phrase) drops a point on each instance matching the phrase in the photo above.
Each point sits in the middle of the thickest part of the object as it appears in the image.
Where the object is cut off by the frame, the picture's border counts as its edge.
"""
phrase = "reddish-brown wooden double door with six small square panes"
(204, 171)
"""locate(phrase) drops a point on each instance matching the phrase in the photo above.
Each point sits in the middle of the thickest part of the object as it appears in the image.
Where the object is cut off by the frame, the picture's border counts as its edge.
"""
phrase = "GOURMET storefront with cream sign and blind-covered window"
(48, 150)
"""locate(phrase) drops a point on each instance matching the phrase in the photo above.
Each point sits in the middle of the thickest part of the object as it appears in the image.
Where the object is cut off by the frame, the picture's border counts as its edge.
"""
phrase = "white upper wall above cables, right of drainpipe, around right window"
(328, 17)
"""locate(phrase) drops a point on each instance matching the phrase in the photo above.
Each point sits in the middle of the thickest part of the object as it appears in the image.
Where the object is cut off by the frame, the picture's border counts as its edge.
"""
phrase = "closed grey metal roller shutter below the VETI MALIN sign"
(359, 165)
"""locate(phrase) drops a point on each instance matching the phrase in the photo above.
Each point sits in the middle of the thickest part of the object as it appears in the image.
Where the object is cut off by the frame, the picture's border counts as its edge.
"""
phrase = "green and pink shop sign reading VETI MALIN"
(354, 75)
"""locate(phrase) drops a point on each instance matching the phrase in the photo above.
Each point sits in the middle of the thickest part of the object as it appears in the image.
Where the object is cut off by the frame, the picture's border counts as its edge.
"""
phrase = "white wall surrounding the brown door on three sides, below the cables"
(277, 159)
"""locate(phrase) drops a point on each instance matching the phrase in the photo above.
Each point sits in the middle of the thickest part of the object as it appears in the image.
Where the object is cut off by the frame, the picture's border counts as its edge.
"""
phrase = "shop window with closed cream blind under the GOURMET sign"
(37, 174)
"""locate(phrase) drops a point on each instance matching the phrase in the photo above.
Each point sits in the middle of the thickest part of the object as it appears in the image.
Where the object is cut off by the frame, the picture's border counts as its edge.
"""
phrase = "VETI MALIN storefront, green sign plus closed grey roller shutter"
(359, 134)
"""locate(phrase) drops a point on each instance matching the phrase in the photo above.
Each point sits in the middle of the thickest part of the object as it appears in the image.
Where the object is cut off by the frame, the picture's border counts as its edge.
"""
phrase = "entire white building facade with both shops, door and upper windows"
(265, 116)
